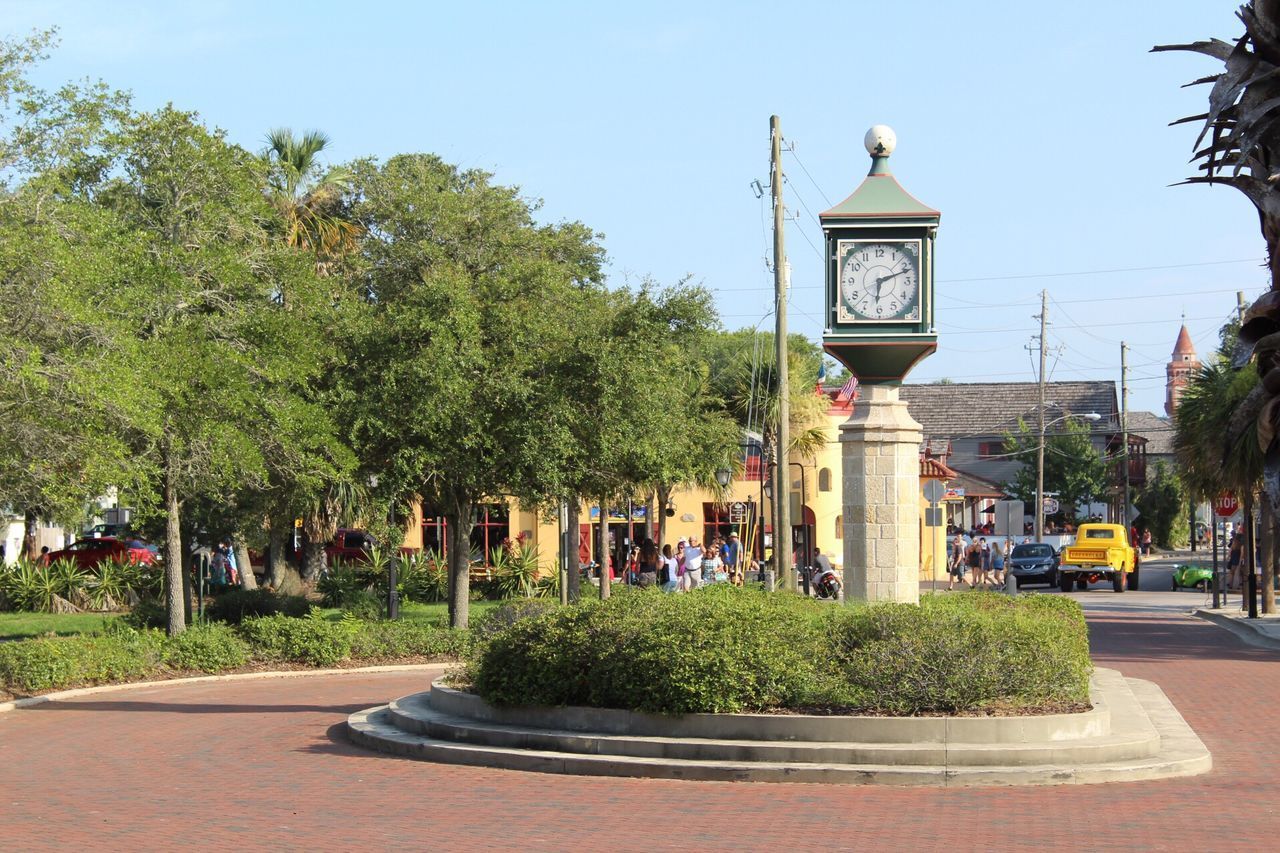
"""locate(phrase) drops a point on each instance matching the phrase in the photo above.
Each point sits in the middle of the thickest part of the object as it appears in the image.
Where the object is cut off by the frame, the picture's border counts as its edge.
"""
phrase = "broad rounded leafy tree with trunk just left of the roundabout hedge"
(451, 390)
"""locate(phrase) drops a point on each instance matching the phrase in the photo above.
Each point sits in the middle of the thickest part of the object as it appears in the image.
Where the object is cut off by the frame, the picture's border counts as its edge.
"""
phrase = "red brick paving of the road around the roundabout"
(263, 764)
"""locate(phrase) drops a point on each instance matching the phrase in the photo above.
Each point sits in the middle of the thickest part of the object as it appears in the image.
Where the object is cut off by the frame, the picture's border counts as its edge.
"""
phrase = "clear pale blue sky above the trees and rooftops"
(1039, 130)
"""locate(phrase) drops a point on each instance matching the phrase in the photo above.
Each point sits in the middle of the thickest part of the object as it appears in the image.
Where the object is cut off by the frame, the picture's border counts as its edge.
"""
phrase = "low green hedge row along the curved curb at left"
(125, 654)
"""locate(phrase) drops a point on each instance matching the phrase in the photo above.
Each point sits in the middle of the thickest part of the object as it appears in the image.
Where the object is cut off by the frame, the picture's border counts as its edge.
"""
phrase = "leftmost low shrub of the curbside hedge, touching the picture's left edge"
(49, 664)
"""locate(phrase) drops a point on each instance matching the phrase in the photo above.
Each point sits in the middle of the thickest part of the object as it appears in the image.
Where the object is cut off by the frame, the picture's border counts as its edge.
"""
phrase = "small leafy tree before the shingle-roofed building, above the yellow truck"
(1075, 469)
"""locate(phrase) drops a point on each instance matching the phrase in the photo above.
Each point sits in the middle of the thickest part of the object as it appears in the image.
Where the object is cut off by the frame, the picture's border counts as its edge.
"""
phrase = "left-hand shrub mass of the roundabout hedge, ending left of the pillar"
(717, 650)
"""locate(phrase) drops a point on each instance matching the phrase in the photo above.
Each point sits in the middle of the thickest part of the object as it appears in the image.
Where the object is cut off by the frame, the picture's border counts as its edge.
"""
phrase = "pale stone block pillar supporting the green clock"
(881, 454)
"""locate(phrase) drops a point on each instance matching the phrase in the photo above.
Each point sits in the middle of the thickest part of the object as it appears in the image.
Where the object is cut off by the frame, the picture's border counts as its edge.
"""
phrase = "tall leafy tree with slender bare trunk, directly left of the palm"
(202, 325)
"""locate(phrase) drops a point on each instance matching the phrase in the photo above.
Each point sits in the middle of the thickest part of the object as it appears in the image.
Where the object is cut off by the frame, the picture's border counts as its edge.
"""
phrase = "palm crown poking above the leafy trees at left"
(307, 198)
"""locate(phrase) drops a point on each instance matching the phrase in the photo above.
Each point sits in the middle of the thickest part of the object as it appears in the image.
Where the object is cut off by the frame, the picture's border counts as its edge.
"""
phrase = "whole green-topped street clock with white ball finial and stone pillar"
(880, 325)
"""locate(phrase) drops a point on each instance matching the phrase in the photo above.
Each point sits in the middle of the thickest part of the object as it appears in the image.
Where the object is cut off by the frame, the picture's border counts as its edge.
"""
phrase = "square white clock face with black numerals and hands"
(880, 281)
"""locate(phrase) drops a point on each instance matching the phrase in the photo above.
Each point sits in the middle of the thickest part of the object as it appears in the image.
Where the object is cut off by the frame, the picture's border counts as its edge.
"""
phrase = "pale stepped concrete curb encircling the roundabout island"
(1148, 740)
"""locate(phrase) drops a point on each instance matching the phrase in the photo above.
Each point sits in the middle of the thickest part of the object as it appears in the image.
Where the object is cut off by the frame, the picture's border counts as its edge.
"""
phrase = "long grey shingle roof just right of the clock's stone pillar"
(994, 408)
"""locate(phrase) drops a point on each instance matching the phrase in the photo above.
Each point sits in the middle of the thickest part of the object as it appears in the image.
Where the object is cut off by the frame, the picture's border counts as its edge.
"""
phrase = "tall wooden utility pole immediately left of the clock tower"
(781, 489)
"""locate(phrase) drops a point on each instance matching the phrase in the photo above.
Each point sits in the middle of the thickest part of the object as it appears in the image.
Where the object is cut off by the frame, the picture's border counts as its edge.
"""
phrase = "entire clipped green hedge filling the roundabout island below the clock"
(726, 650)
